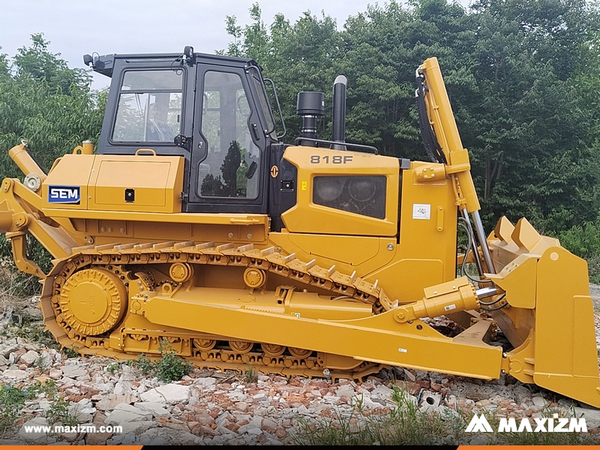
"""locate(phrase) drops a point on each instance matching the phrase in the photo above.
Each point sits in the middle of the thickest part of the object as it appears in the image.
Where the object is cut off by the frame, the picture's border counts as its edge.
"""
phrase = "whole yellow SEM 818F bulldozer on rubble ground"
(190, 222)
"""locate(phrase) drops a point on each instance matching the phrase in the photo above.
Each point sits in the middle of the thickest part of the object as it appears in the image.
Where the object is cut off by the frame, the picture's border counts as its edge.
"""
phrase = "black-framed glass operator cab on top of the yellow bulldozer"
(212, 110)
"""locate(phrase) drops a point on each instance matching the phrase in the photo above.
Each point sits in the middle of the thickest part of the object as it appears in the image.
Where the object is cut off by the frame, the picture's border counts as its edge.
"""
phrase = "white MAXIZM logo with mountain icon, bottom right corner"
(552, 424)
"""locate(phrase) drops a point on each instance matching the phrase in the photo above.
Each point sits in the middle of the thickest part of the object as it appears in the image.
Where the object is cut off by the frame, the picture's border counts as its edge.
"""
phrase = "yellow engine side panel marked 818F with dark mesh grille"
(336, 187)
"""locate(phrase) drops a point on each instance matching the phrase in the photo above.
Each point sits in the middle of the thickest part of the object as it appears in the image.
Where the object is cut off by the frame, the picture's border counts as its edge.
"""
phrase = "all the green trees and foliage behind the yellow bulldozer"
(523, 78)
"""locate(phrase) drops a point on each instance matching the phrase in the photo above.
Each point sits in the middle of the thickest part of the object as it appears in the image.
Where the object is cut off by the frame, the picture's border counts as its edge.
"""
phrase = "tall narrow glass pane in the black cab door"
(232, 162)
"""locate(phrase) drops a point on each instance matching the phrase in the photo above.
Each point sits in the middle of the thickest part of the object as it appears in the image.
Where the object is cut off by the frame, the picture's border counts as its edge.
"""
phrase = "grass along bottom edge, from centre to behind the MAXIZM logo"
(407, 424)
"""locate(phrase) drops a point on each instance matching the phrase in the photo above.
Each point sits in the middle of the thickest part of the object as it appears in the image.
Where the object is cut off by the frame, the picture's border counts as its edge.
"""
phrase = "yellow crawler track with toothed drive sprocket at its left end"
(114, 267)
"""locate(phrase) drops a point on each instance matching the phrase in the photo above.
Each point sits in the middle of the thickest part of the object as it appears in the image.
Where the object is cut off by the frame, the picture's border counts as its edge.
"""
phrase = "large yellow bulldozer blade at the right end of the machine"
(553, 330)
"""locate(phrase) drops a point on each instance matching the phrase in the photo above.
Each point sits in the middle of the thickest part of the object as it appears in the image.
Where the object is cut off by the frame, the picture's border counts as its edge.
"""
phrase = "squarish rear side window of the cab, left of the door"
(150, 105)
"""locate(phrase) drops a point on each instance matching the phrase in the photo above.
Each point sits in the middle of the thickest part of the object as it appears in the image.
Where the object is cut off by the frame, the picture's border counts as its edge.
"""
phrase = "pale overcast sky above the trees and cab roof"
(77, 27)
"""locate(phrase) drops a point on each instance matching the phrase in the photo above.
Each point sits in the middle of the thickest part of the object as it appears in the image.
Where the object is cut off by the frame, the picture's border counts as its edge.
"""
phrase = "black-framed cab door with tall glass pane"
(227, 170)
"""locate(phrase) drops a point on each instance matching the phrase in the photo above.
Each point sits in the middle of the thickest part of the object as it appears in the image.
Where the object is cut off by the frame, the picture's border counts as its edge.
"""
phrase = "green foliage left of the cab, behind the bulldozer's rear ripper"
(45, 102)
